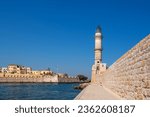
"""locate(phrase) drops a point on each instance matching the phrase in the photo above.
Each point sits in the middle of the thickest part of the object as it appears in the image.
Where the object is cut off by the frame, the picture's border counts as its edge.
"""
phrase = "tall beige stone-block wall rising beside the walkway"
(129, 76)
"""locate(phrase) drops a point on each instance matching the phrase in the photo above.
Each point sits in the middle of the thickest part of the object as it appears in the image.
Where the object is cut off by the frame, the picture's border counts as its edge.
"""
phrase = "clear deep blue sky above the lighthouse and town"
(60, 33)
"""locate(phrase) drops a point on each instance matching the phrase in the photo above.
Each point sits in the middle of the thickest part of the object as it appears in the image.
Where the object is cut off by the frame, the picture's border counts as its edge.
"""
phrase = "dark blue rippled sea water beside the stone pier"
(38, 91)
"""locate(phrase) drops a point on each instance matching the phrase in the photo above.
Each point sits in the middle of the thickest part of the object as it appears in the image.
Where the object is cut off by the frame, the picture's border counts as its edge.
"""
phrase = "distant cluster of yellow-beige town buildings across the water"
(14, 70)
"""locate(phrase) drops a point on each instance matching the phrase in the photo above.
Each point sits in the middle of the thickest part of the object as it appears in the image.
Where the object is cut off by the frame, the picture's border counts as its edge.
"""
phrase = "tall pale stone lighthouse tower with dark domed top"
(98, 68)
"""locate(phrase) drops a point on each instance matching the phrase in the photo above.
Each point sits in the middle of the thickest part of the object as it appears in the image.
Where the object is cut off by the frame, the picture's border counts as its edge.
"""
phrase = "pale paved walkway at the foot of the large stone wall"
(96, 92)
